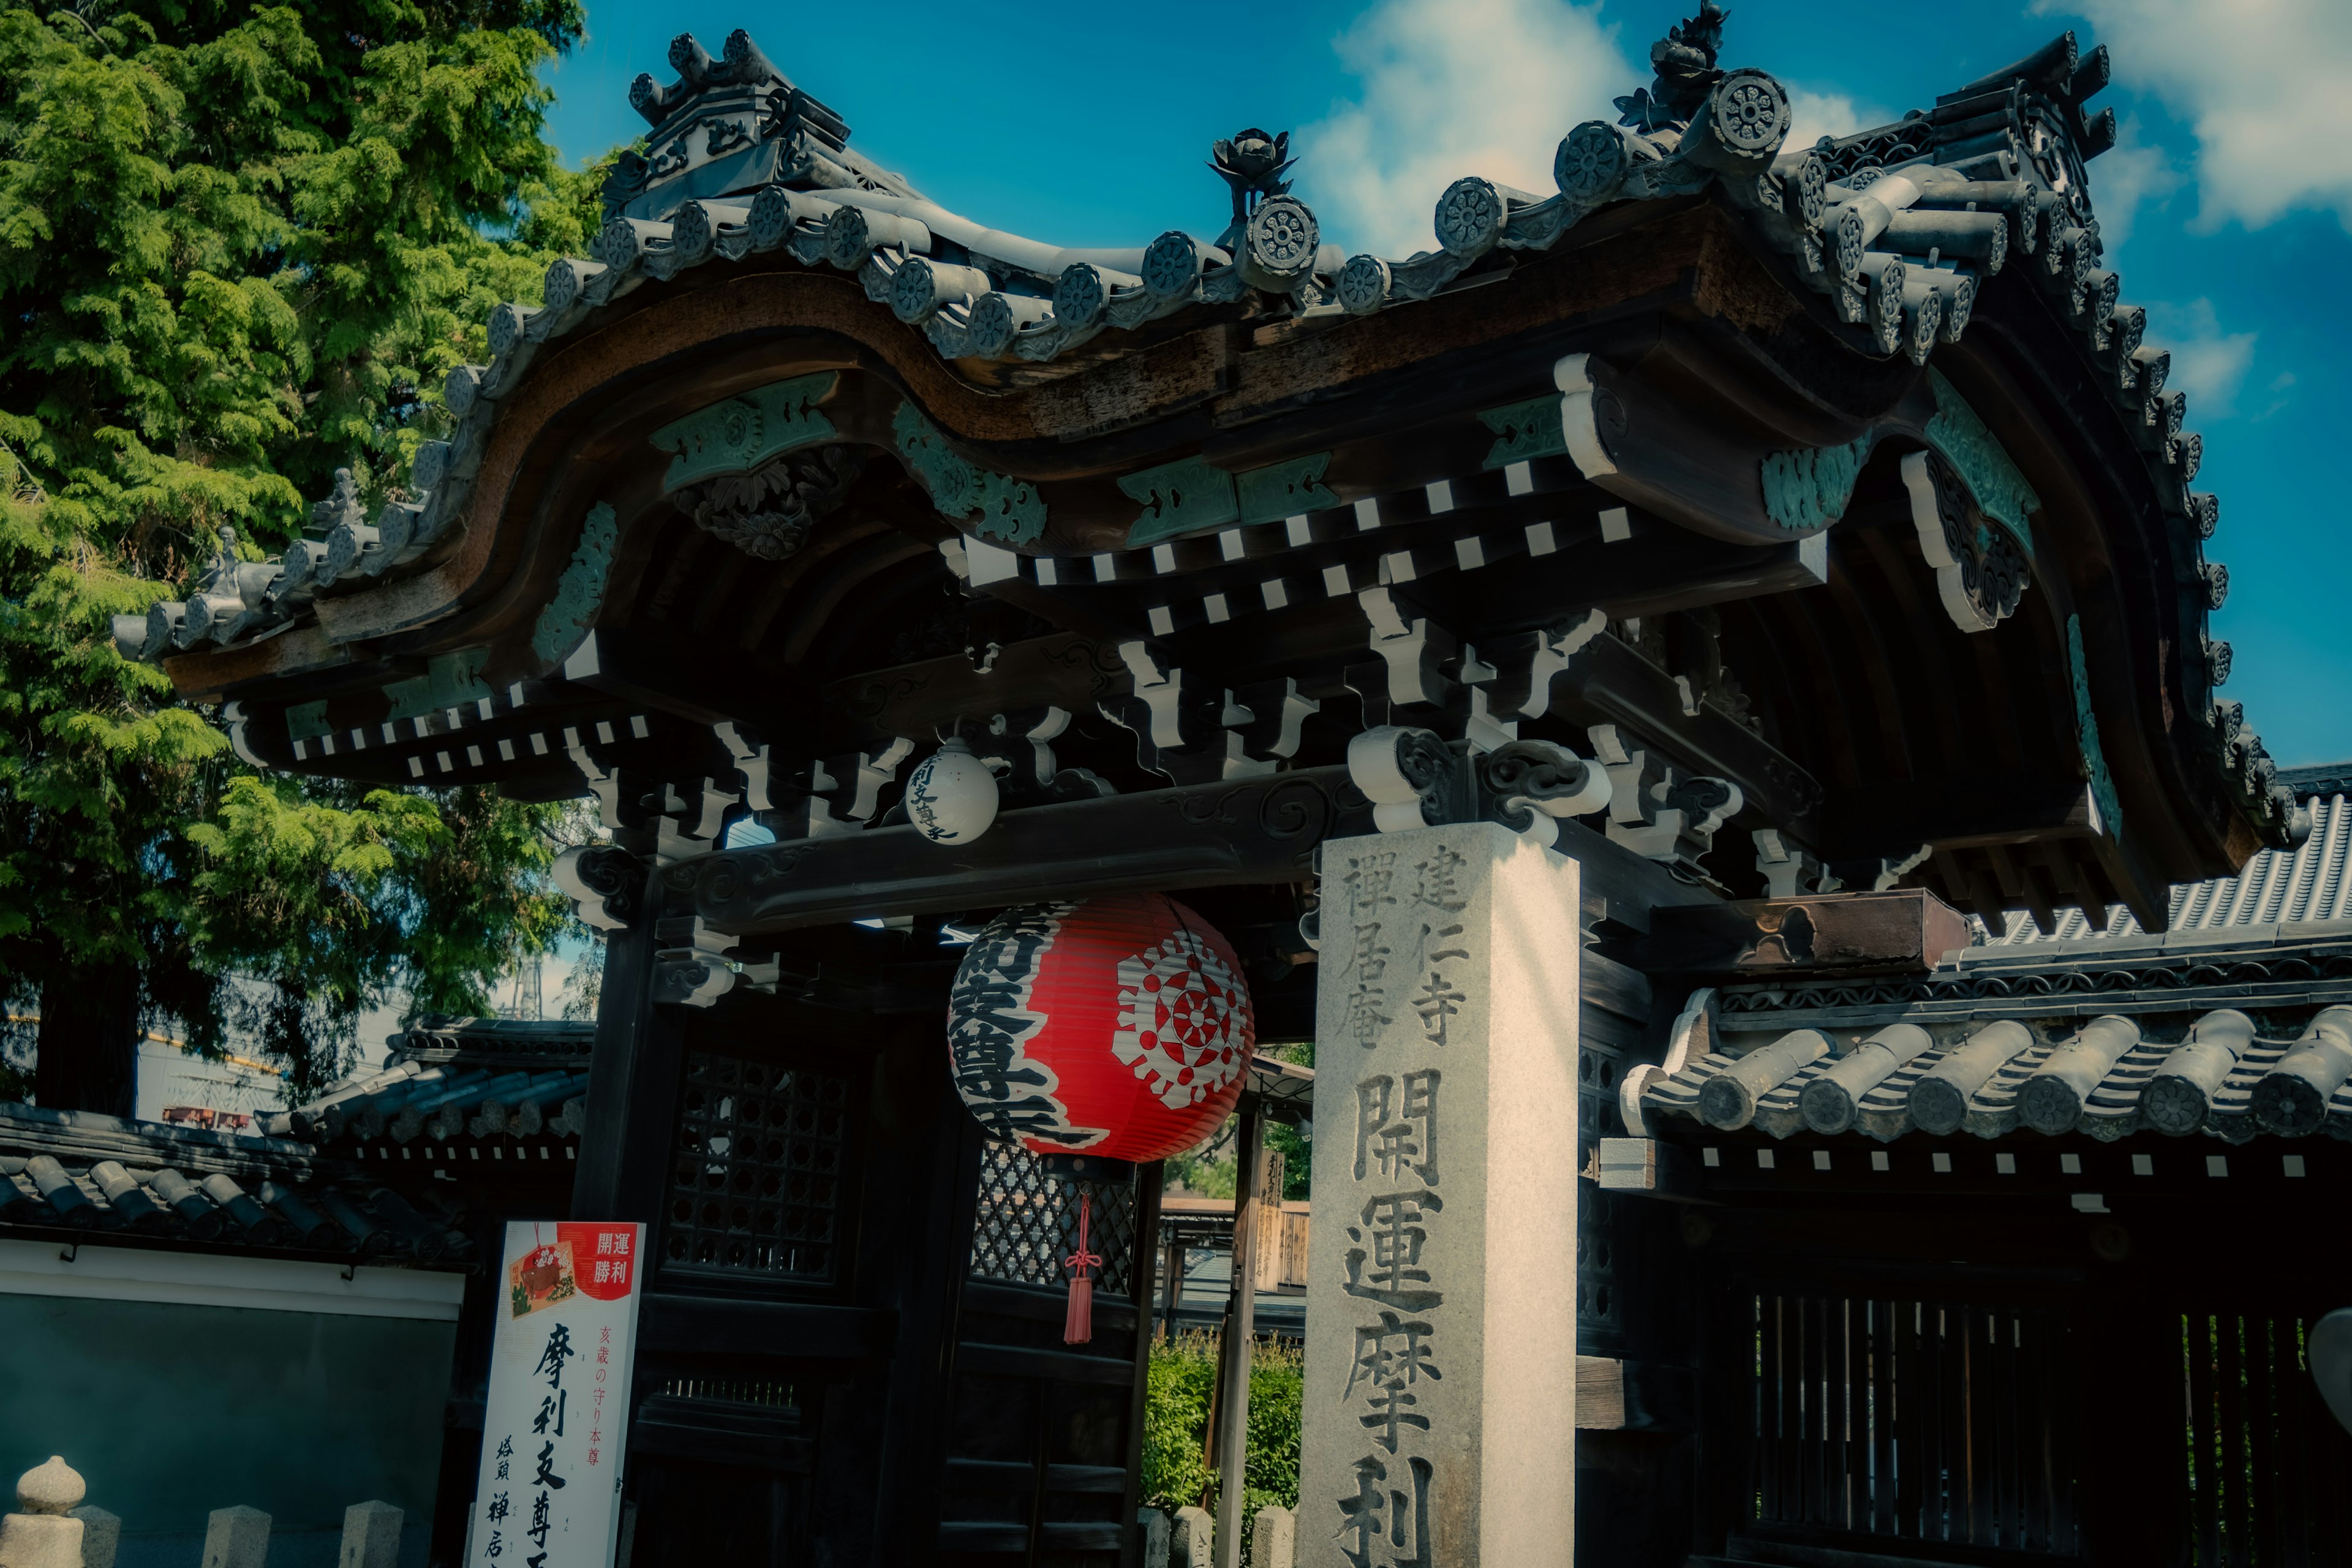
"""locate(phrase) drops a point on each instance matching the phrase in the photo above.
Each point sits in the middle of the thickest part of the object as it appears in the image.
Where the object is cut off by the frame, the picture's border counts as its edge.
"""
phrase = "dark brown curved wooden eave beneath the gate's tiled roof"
(1876, 725)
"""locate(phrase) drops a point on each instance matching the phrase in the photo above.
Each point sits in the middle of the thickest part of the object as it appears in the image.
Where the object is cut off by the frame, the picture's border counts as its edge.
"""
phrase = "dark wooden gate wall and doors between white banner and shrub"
(827, 1372)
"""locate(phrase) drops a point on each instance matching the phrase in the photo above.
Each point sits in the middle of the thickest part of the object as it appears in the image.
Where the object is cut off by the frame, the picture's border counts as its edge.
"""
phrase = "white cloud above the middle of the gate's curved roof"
(1455, 88)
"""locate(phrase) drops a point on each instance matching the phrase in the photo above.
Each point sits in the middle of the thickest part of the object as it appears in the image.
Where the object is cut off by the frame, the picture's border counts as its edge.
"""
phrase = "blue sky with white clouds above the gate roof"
(2226, 206)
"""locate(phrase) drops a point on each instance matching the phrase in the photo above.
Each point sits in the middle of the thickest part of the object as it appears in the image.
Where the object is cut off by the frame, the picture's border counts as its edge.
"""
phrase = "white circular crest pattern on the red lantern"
(1184, 1021)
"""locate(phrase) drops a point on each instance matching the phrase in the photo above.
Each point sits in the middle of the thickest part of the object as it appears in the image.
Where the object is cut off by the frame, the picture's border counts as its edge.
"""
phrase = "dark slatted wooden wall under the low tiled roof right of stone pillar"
(1996, 1386)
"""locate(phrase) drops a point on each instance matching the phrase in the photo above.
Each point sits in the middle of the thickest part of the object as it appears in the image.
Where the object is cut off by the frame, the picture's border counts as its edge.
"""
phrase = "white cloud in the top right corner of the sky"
(2264, 83)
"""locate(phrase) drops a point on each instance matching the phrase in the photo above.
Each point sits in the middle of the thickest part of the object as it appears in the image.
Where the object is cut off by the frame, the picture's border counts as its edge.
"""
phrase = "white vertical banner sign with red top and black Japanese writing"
(559, 1398)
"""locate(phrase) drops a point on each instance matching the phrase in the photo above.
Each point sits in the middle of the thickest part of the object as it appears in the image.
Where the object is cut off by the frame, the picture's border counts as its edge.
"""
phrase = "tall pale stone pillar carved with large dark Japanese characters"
(1441, 1381)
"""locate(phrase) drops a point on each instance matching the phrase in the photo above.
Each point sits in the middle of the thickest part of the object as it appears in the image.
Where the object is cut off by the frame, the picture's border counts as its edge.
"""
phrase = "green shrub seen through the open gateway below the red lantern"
(1177, 1426)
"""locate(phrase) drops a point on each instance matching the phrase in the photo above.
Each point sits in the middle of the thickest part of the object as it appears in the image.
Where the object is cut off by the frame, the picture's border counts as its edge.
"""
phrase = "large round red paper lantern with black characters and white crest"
(1116, 1028)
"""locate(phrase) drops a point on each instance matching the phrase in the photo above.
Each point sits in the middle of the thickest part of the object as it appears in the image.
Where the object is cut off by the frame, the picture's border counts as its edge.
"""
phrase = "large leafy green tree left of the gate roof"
(239, 248)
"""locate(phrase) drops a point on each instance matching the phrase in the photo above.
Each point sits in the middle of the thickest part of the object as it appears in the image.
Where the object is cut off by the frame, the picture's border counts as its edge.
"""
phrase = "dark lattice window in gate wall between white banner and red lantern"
(756, 1188)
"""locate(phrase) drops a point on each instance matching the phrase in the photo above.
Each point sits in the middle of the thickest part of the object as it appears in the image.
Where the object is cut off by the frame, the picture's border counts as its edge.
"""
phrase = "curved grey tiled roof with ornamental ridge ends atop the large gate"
(1897, 227)
